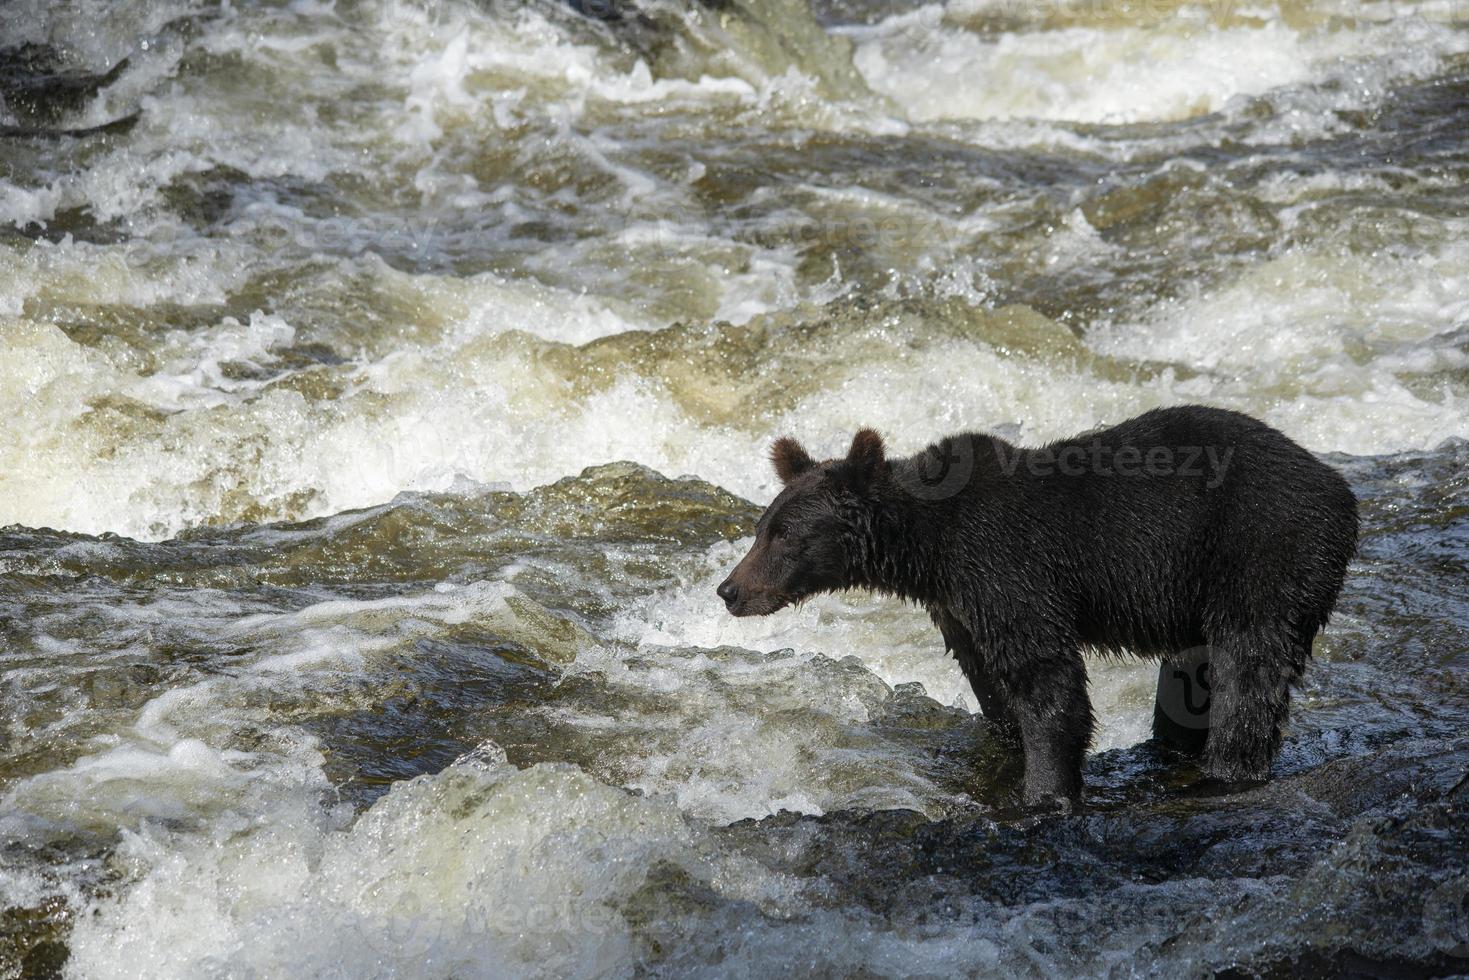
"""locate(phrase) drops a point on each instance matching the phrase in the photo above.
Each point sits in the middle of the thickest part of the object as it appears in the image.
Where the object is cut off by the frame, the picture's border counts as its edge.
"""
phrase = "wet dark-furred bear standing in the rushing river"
(1023, 568)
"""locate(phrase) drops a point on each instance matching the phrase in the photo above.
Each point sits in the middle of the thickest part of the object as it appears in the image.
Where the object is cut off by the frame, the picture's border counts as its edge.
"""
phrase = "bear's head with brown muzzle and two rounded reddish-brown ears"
(812, 536)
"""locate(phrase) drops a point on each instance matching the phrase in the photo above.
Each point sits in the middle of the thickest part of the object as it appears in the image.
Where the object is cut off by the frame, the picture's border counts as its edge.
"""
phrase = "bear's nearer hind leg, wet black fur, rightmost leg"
(1251, 680)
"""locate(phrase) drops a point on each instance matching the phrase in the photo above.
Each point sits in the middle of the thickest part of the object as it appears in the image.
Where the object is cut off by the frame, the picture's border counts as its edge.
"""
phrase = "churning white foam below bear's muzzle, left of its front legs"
(729, 734)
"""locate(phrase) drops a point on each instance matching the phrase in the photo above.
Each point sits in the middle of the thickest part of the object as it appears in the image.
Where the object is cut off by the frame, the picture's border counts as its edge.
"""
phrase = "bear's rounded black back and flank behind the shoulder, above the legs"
(1151, 530)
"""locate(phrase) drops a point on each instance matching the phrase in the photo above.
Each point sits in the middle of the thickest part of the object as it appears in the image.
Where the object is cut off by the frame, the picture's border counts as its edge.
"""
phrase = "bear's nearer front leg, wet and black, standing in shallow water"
(1051, 706)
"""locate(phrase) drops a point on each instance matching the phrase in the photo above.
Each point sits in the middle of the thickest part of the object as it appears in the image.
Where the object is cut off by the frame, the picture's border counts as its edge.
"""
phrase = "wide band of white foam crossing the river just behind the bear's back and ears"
(475, 405)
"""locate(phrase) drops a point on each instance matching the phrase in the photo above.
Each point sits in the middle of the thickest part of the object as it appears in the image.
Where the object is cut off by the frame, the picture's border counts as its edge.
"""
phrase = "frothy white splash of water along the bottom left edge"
(480, 871)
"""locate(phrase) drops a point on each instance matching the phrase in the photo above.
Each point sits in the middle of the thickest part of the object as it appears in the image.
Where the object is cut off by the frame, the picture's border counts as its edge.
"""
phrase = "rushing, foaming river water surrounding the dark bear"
(387, 386)
